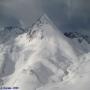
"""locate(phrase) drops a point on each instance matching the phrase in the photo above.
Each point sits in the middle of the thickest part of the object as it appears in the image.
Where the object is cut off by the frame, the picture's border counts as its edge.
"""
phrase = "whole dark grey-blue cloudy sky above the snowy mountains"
(66, 14)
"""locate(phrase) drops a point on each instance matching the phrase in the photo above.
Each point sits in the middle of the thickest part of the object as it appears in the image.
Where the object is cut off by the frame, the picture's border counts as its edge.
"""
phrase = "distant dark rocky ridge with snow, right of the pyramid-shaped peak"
(82, 40)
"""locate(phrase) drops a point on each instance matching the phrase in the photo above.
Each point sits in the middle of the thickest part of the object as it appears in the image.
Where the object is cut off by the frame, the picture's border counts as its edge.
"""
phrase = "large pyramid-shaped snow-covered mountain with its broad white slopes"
(42, 58)
